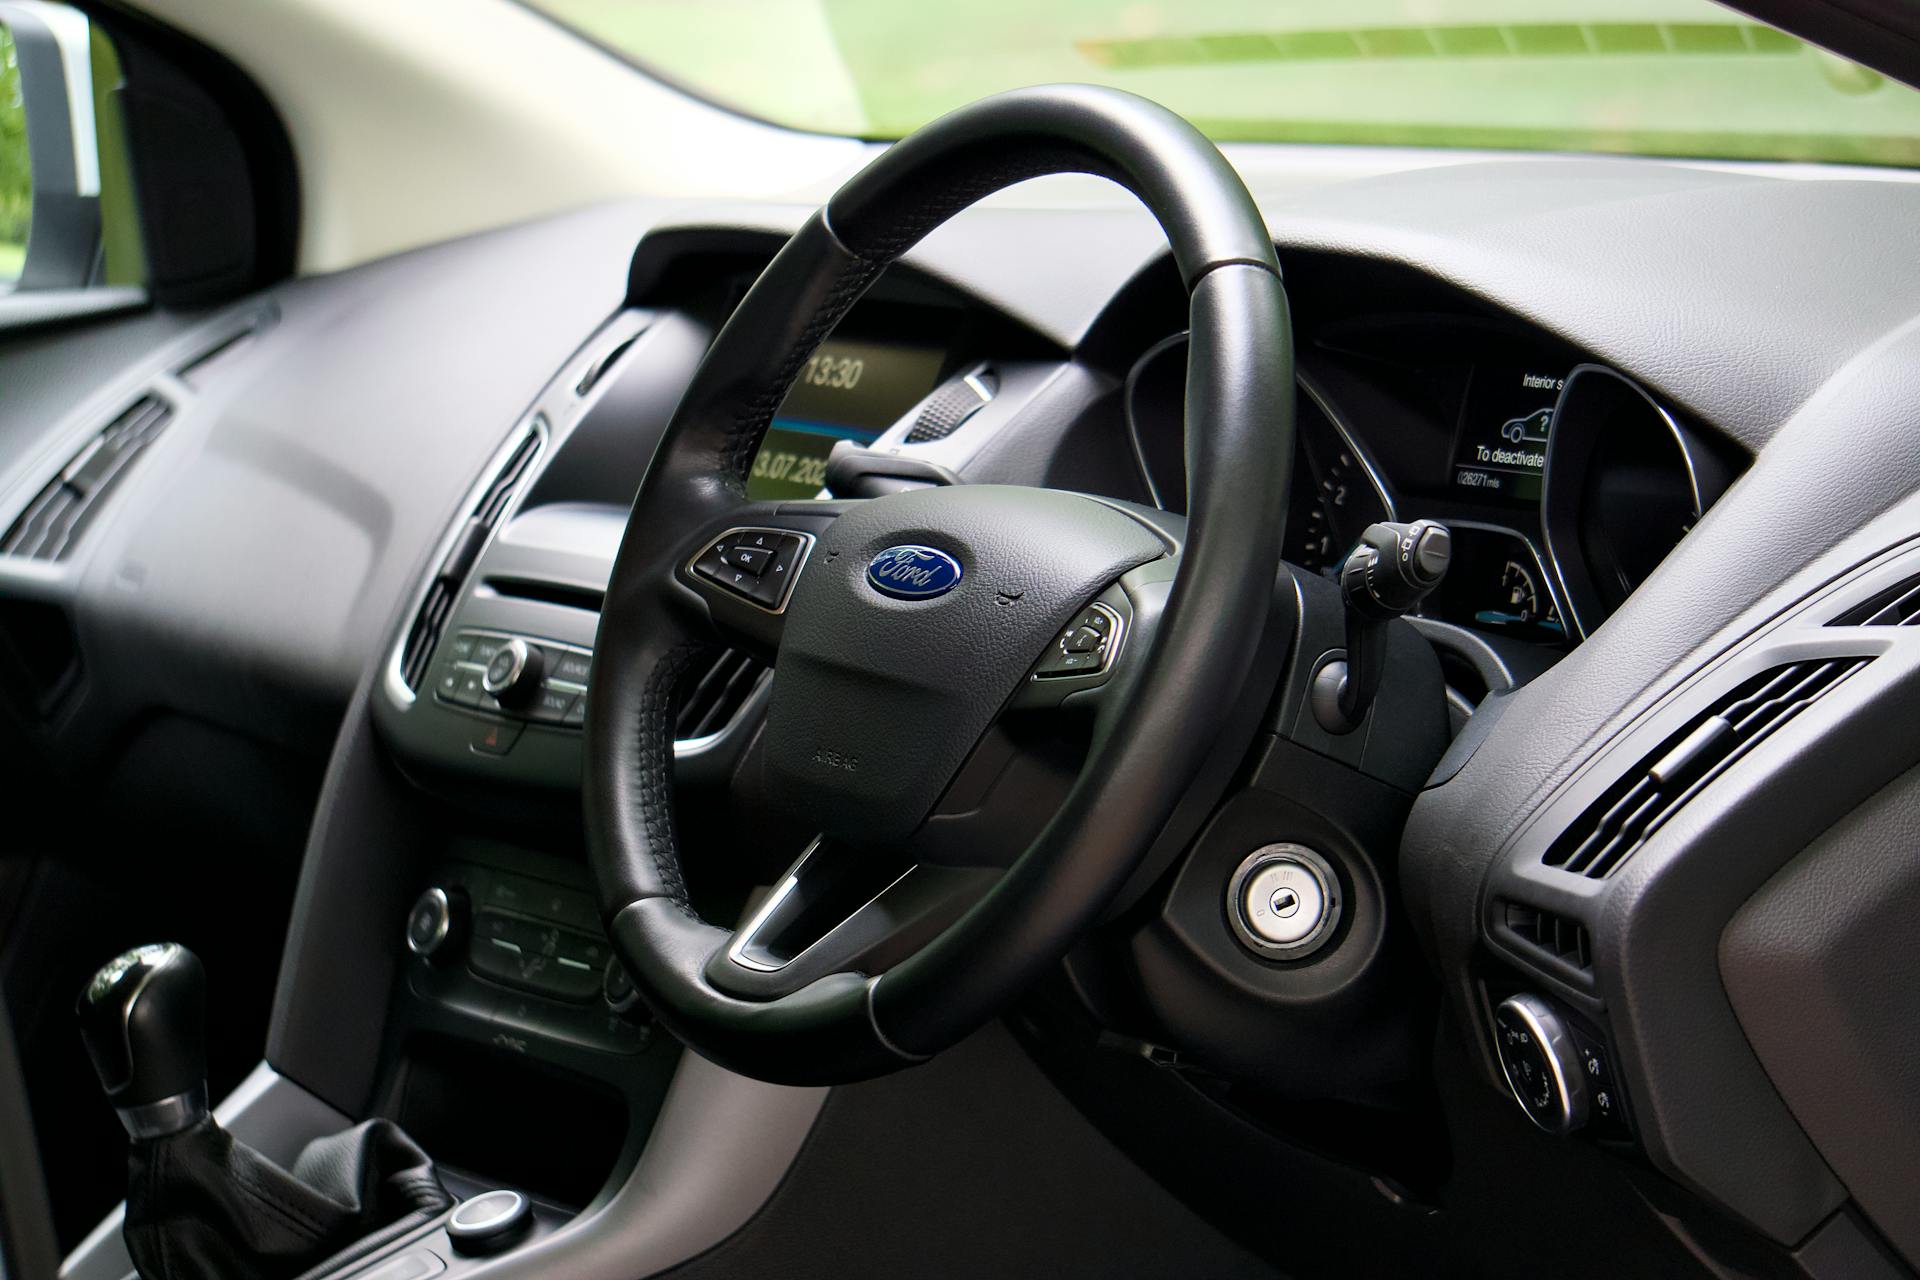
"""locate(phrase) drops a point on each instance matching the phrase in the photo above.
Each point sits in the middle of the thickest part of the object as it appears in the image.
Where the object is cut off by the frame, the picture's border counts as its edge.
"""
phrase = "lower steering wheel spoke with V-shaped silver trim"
(842, 911)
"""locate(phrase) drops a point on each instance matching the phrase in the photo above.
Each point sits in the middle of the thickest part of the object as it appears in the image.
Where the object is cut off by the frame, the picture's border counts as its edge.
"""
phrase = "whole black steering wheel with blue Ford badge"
(901, 628)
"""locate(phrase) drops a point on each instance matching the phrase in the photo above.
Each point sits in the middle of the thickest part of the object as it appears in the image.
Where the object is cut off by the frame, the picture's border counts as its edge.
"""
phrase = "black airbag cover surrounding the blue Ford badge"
(880, 699)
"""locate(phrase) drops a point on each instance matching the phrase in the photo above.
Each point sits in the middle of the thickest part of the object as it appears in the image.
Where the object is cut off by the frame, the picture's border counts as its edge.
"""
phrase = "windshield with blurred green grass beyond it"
(1656, 78)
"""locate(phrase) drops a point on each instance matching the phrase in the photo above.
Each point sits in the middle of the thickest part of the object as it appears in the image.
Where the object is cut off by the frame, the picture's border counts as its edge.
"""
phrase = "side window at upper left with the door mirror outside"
(66, 195)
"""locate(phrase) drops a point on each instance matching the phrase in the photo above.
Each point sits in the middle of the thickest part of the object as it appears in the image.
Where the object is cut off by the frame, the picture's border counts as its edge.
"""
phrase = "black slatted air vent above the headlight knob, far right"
(1637, 807)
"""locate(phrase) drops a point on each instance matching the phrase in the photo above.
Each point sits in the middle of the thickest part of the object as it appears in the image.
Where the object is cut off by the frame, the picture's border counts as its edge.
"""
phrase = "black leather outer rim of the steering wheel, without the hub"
(1239, 442)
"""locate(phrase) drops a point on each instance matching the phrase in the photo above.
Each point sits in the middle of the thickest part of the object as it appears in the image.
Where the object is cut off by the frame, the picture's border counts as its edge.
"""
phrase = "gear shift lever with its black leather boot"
(201, 1204)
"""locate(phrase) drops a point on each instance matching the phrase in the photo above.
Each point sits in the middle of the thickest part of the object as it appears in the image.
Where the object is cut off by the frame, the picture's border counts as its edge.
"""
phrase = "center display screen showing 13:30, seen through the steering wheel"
(850, 391)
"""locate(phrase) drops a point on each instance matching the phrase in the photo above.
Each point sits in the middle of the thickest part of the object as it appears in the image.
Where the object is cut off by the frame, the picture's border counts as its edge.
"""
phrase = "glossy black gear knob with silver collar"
(145, 1020)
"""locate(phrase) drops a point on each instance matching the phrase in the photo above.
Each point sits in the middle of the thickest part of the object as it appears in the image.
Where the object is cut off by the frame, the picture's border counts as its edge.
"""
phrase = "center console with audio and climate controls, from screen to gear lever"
(448, 955)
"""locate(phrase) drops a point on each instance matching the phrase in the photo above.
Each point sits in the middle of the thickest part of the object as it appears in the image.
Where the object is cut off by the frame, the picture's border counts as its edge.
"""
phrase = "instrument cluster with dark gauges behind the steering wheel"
(1566, 483)
